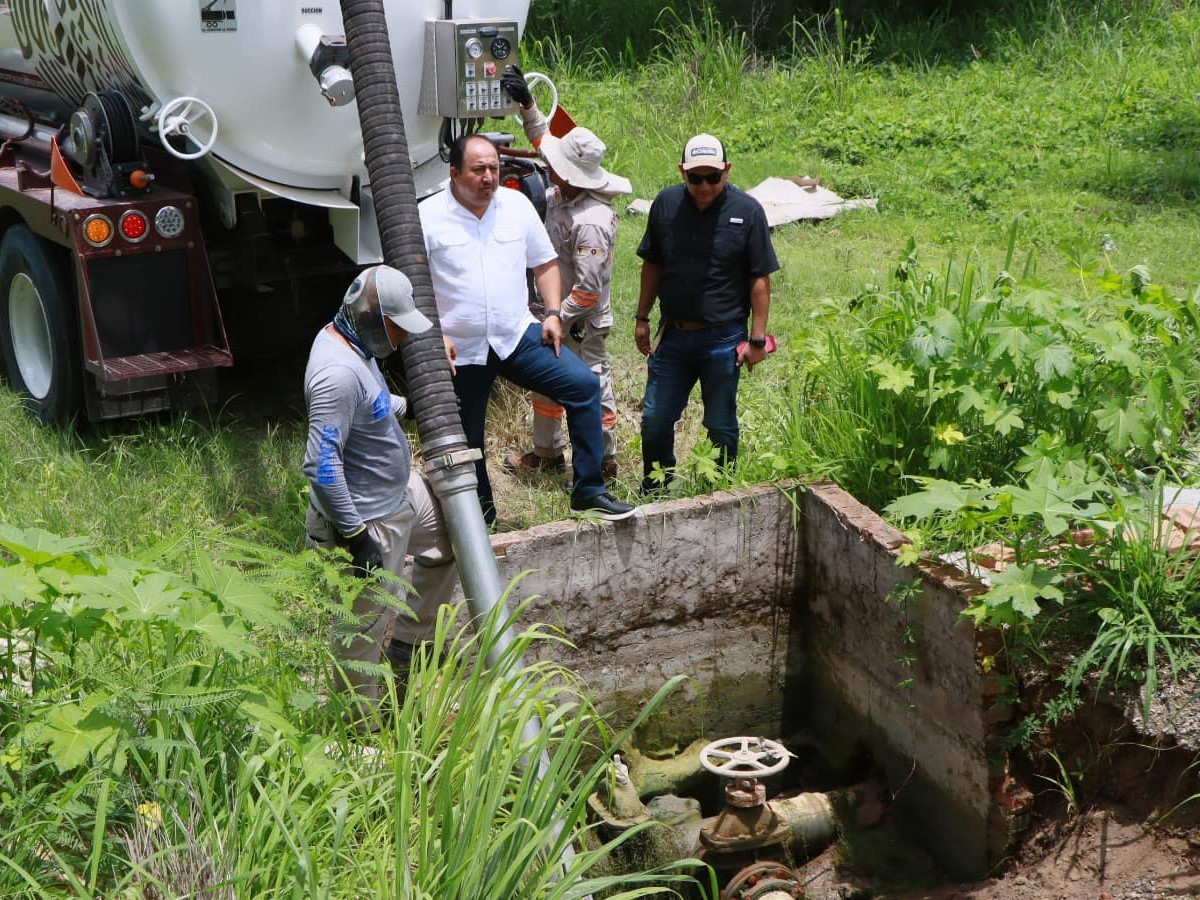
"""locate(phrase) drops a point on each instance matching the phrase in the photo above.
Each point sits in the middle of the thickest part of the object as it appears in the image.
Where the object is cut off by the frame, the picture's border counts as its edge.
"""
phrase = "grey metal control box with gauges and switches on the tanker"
(465, 61)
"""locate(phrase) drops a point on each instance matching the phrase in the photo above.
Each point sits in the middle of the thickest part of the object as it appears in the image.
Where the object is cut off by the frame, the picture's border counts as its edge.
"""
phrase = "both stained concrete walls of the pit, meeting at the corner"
(777, 604)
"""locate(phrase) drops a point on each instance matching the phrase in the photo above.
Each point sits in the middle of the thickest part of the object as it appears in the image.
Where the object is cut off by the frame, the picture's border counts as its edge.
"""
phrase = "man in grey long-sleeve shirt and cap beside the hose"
(365, 496)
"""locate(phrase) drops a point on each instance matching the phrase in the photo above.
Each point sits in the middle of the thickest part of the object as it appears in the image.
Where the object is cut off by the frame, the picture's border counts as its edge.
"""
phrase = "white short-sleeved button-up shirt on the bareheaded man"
(478, 267)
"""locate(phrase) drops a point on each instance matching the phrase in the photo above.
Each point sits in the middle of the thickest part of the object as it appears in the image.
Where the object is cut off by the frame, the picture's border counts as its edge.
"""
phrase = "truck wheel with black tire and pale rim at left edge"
(39, 327)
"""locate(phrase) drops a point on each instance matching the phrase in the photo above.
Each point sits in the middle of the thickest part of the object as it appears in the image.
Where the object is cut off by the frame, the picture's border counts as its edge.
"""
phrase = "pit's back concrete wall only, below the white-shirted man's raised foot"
(703, 587)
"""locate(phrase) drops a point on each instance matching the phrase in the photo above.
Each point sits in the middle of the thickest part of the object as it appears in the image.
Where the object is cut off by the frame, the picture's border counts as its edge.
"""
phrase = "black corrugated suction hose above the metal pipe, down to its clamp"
(391, 173)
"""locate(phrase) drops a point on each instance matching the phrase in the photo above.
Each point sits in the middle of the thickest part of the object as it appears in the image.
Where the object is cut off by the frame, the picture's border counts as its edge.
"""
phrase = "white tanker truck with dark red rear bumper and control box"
(184, 181)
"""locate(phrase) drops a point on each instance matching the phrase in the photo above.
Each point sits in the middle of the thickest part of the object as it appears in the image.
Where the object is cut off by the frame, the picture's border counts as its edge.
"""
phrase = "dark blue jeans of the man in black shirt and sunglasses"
(710, 357)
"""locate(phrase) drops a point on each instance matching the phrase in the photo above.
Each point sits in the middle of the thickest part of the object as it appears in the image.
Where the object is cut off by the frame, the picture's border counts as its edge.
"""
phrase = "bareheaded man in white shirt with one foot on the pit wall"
(479, 243)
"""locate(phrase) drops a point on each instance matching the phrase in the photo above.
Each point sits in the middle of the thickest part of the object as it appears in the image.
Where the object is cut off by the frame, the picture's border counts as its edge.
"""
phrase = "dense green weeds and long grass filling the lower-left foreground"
(163, 737)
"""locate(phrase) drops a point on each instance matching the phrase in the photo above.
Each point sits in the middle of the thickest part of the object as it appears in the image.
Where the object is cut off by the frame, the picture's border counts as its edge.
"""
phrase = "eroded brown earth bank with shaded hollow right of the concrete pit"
(1137, 838)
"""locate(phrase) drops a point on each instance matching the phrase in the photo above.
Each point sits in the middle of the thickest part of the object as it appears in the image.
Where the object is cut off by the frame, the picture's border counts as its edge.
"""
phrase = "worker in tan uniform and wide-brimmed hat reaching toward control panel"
(583, 229)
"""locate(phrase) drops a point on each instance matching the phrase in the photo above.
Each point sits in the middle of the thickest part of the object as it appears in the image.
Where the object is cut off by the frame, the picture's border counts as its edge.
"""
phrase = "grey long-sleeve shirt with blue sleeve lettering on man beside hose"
(358, 458)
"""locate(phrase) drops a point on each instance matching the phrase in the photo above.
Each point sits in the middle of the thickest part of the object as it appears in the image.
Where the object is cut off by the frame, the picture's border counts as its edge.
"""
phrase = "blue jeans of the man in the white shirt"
(565, 380)
